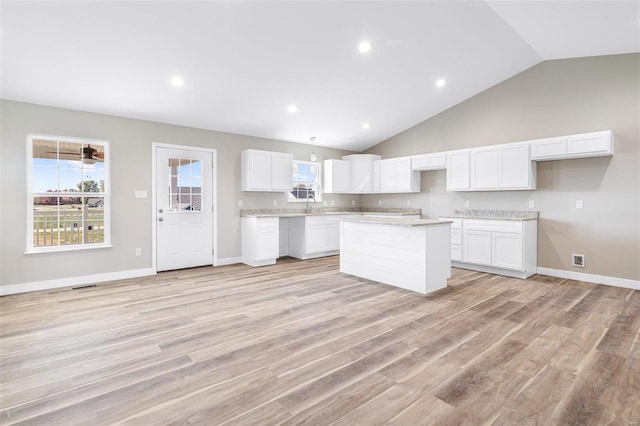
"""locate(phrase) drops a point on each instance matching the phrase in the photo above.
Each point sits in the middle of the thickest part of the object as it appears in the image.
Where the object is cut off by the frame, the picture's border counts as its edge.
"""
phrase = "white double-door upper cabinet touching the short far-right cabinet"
(502, 167)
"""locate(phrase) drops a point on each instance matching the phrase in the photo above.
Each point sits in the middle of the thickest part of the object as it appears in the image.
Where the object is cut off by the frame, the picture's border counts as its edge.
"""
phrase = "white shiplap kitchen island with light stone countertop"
(412, 254)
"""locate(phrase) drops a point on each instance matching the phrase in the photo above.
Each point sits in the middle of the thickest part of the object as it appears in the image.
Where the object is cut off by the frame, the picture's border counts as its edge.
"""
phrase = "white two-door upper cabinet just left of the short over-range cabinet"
(395, 175)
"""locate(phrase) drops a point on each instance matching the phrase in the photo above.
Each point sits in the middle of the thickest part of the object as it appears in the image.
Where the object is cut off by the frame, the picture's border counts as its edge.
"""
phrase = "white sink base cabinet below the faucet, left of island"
(313, 236)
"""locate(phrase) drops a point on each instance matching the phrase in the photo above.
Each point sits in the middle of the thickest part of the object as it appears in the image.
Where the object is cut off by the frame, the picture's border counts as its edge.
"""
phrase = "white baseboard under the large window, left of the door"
(73, 281)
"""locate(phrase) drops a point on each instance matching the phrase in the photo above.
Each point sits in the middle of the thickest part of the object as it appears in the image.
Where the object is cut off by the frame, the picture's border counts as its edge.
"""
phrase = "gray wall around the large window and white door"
(131, 142)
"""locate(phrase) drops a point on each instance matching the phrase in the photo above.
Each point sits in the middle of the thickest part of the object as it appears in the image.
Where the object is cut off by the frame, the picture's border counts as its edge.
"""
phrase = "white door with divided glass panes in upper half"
(184, 208)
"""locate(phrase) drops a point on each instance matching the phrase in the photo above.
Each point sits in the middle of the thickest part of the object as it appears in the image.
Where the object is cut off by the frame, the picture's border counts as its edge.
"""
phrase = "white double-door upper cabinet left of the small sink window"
(266, 171)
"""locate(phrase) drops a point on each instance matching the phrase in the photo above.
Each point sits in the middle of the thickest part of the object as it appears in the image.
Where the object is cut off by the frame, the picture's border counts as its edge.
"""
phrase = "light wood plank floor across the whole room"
(300, 343)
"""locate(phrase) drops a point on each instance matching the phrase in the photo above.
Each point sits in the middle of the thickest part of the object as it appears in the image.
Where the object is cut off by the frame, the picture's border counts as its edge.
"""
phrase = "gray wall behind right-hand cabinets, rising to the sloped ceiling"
(553, 98)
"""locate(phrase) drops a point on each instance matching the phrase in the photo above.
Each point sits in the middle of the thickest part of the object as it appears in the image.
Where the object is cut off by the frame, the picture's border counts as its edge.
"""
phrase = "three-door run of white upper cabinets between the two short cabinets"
(491, 168)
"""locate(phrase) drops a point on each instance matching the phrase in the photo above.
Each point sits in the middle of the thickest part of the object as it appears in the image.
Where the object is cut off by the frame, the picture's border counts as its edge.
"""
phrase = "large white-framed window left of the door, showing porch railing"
(68, 193)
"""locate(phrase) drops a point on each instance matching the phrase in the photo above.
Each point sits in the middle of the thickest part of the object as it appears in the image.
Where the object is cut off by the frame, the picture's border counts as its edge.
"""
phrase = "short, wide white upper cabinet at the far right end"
(595, 144)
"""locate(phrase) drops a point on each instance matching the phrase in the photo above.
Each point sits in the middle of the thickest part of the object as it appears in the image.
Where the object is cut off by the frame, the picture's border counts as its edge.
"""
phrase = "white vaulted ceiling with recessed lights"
(244, 62)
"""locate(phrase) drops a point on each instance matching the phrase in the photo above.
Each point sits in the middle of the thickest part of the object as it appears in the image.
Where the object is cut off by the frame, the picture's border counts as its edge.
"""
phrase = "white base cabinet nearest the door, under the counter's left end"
(259, 240)
